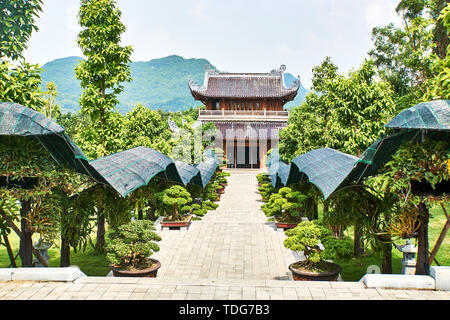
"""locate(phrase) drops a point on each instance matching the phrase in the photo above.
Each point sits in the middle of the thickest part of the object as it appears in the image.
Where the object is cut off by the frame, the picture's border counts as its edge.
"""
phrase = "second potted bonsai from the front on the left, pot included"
(179, 200)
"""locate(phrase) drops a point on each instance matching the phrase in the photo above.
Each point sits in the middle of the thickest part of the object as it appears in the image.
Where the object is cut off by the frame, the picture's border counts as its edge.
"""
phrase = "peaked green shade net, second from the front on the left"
(133, 168)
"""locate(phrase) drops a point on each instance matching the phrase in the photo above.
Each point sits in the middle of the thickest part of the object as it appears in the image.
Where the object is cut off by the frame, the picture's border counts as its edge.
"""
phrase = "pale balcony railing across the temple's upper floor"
(243, 115)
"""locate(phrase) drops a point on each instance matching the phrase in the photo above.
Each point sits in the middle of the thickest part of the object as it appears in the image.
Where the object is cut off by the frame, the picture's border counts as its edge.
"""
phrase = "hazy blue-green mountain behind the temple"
(157, 84)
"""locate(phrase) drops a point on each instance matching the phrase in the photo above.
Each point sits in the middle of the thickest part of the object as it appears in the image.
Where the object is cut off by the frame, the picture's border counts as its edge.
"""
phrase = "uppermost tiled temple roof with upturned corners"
(244, 85)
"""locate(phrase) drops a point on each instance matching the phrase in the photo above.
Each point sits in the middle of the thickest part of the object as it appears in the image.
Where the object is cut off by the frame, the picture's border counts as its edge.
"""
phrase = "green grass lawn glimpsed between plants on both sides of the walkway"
(93, 264)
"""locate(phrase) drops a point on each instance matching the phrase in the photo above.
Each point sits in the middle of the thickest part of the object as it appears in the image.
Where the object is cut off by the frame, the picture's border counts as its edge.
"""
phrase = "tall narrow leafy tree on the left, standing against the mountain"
(101, 74)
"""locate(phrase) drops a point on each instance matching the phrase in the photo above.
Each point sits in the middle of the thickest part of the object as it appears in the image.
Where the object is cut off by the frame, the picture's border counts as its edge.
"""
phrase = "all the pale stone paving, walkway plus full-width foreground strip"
(233, 253)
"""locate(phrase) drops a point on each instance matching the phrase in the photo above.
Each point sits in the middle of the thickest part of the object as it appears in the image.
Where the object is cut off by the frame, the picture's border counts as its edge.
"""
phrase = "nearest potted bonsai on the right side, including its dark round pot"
(305, 237)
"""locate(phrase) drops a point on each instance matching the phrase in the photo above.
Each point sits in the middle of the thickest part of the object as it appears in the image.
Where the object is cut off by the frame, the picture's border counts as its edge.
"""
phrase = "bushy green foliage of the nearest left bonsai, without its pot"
(131, 244)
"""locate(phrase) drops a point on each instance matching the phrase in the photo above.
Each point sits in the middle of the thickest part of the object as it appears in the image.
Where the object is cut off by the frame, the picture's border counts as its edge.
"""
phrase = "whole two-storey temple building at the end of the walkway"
(247, 110)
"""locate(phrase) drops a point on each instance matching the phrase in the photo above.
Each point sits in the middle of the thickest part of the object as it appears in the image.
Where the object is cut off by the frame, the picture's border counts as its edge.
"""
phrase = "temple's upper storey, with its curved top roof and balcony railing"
(251, 96)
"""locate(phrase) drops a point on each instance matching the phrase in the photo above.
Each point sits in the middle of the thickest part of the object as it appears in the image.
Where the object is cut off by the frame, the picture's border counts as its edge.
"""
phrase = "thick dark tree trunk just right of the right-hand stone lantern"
(422, 241)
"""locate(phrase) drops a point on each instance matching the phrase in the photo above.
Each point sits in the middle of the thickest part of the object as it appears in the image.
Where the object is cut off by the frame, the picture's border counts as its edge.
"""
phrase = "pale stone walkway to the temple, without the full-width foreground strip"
(235, 241)
